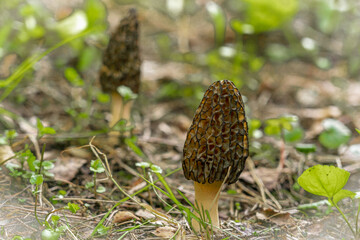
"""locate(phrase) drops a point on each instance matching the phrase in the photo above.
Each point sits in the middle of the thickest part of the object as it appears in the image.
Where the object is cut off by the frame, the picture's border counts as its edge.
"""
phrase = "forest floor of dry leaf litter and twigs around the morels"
(263, 204)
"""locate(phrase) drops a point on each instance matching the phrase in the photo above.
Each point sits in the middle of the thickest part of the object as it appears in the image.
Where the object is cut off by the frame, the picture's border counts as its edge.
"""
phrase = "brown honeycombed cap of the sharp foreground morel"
(218, 136)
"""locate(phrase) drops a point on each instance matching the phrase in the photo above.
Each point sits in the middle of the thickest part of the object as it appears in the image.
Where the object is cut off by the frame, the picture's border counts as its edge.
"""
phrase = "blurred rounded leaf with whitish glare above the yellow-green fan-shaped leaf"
(335, 134)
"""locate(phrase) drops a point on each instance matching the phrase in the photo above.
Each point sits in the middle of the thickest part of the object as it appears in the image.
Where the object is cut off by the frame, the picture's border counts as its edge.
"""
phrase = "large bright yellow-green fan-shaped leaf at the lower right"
(323, 180)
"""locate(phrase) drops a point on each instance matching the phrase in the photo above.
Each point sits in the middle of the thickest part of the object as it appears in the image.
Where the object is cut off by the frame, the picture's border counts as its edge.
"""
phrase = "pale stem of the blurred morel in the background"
(119, 109)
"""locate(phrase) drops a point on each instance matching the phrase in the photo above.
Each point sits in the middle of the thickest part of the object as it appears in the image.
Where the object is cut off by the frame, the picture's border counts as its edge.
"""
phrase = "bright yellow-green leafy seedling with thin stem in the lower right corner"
(328, 181)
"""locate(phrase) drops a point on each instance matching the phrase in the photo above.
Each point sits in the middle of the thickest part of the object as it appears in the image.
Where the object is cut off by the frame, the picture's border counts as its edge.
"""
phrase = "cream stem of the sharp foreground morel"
(207, 198)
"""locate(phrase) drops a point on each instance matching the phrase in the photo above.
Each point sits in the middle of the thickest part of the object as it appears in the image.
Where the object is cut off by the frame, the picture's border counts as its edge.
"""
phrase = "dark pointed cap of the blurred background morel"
(121, 61)
